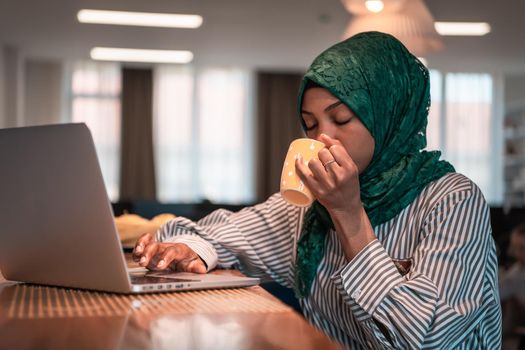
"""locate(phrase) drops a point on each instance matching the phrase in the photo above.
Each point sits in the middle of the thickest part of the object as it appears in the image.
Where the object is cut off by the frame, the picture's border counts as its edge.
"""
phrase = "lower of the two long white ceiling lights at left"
(137, 55)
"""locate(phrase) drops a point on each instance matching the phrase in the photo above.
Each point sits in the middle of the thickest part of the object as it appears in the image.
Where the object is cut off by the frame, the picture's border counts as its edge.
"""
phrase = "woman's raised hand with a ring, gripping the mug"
(333, 178)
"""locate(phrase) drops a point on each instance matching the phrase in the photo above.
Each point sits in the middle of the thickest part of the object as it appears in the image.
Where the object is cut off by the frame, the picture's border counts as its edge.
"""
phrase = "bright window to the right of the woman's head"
(462, 125)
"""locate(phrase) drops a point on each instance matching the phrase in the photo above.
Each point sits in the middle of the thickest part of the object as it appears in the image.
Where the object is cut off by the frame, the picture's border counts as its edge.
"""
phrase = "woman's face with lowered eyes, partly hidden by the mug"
(325, 114)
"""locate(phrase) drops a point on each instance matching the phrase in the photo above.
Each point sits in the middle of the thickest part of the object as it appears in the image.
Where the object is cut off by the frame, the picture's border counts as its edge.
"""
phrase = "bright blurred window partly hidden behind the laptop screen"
(95, 89)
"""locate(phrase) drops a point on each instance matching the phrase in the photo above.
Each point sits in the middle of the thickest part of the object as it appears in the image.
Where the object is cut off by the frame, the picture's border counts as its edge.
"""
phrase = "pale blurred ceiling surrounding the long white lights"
(277, 34)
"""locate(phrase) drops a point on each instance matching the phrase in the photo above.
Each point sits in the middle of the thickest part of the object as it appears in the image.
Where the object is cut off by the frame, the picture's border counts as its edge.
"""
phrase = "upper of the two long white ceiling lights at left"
(145, 19)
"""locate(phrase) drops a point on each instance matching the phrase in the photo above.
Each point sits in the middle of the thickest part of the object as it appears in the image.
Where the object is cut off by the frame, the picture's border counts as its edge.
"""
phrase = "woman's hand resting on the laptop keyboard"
(161, 256)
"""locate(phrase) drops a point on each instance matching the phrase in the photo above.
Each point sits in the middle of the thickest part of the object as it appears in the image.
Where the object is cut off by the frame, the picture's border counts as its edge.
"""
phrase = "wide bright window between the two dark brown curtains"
(203, 137)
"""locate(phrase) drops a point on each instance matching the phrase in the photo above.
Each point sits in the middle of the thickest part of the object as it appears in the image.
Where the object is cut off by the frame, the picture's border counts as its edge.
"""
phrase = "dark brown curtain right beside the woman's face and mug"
(277, 125)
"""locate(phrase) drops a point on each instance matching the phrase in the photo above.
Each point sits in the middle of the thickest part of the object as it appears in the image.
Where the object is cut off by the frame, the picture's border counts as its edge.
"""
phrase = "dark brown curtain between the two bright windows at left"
(137, 171)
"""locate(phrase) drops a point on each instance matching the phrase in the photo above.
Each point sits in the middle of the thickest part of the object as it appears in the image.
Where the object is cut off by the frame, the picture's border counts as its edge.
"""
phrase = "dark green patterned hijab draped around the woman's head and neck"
(388, 89)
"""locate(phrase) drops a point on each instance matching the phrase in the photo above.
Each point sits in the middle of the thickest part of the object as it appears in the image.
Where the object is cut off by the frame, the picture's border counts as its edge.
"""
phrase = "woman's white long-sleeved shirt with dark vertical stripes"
(429, 280)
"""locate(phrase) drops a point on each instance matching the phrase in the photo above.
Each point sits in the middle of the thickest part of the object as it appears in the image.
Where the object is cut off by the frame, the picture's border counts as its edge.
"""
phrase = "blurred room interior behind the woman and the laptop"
(211, 130)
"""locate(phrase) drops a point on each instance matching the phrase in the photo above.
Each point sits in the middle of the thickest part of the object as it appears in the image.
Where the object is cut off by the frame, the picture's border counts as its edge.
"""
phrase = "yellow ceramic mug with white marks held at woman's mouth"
(293, 190)
